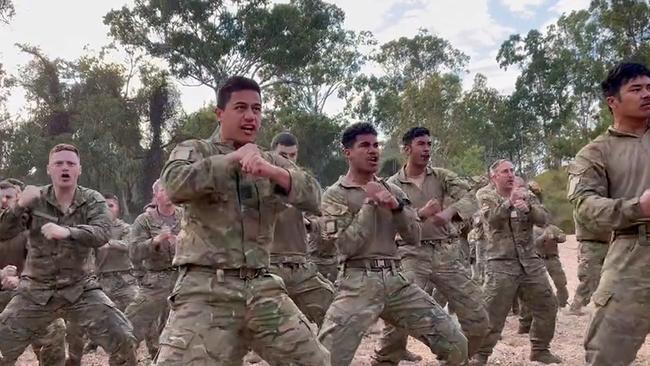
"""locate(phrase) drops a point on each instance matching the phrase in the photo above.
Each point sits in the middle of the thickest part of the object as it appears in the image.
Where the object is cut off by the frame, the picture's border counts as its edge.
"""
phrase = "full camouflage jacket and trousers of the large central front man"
(225, 300)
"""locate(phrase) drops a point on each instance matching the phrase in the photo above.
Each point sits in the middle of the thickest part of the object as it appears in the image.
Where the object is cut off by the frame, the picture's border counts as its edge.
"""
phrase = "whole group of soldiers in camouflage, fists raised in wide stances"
(240, 265)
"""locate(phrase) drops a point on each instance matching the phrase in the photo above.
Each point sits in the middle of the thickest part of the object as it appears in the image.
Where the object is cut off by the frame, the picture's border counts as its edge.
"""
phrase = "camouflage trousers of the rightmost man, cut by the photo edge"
(621, 322)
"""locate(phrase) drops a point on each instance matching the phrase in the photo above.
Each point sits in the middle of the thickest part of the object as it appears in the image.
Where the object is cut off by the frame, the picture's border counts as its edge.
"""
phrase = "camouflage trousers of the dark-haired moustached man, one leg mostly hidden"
(450, 279)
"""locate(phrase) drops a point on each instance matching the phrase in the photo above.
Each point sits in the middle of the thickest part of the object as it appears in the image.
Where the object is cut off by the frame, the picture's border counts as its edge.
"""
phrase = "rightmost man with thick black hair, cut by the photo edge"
(609, 187)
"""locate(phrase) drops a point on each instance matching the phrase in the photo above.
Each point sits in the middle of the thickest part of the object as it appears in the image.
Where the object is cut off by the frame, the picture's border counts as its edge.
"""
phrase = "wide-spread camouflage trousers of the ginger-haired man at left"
(24, 320)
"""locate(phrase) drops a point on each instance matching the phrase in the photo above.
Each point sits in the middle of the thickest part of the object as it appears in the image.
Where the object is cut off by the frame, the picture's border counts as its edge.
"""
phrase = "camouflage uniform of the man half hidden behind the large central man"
(309, 289)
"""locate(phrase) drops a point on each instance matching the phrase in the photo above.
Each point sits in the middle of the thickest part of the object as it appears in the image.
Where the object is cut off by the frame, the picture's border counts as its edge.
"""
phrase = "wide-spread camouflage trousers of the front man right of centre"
(363, 296)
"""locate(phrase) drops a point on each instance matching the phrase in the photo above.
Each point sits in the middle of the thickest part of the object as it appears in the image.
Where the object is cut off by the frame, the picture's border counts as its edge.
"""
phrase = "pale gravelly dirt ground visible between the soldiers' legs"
(511, 351)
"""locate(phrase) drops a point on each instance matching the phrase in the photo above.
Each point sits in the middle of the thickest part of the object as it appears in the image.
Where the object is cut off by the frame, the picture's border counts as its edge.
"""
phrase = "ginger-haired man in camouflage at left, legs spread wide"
(65, 222)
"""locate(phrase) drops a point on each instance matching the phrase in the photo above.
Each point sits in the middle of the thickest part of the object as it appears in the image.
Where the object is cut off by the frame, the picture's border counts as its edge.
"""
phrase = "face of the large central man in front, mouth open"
(241, 118)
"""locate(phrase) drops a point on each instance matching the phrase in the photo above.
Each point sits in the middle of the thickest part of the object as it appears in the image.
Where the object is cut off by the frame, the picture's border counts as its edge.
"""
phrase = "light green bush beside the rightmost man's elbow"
(554, 183)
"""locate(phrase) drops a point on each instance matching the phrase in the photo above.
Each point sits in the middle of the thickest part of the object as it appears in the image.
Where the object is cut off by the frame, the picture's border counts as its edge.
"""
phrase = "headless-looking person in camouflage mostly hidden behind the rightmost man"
(592, 249)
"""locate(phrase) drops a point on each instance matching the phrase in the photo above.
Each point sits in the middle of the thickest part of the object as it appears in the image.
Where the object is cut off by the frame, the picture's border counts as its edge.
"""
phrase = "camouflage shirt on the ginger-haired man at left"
(59, 265)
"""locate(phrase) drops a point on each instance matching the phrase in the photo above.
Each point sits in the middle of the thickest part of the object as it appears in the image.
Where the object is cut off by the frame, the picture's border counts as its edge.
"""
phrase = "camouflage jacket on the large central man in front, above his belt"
(229, 216)
